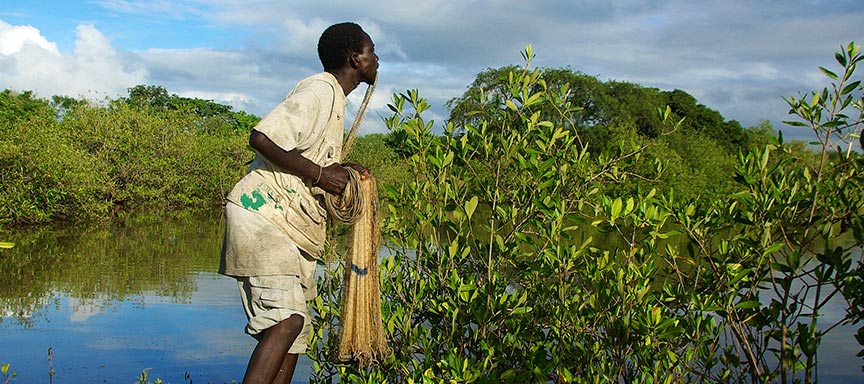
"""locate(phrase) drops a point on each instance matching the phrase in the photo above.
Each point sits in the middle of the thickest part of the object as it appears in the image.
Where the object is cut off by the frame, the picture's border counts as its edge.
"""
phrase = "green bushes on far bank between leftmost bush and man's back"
(153, 157)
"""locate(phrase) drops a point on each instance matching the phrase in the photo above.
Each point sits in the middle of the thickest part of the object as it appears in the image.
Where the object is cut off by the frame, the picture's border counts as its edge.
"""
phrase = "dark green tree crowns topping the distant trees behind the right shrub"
(602, 109)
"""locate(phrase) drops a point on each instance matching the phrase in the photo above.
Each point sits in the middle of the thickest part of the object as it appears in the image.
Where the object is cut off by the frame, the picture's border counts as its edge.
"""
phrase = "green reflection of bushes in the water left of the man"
(98, 264)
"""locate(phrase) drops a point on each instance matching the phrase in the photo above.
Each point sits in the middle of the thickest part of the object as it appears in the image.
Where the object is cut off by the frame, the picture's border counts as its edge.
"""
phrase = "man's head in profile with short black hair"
(346, 44)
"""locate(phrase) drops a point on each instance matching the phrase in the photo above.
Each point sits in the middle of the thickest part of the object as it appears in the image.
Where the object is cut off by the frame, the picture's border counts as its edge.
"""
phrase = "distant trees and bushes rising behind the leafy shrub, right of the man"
(699, 151)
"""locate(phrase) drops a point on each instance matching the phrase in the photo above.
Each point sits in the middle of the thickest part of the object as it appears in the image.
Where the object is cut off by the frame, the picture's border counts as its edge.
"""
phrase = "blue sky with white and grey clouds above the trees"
(735, 56)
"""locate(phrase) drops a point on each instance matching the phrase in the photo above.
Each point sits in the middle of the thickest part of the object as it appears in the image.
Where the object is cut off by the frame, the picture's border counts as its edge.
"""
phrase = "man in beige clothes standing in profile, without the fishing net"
(275, 220)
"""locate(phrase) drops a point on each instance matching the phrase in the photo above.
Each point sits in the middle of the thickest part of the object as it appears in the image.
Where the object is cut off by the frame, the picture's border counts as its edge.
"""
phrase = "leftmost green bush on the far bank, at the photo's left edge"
(43, 175)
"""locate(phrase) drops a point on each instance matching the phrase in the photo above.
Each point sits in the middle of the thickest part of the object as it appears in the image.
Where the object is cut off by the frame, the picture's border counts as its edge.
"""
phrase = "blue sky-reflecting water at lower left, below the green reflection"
(103, 340)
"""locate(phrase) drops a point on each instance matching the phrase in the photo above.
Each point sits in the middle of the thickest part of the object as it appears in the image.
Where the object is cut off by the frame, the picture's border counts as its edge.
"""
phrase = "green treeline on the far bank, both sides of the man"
(70, 159)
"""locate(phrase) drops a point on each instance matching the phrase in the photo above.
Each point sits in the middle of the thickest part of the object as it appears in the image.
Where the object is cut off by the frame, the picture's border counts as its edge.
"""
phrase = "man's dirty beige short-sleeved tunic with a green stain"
(310, 119)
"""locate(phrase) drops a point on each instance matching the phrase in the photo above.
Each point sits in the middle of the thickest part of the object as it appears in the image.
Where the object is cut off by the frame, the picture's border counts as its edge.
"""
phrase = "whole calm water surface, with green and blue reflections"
(142, 293)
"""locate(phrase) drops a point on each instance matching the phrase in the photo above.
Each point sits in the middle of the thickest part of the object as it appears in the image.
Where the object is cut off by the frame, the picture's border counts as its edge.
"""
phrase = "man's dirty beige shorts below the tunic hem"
(271, 299)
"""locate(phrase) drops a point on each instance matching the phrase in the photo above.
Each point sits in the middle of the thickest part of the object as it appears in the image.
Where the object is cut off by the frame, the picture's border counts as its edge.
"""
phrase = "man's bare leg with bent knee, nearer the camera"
(271, 353)
